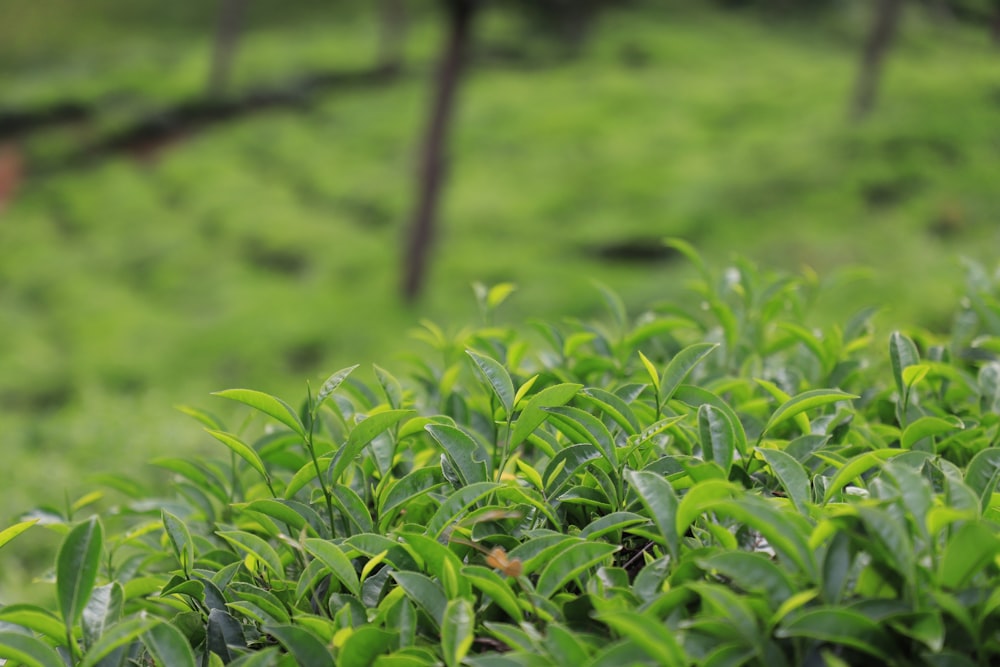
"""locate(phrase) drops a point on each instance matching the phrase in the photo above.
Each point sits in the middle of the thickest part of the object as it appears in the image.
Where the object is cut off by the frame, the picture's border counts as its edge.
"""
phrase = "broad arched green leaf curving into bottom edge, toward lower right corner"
(841, 626)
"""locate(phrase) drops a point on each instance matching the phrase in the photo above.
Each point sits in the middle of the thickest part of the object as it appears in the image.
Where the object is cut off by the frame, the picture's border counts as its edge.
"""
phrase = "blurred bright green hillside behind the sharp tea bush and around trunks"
(264, 252)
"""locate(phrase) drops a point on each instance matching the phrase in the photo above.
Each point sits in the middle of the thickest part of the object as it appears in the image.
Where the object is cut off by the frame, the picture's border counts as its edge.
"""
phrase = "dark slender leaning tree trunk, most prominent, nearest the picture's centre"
(432, 166)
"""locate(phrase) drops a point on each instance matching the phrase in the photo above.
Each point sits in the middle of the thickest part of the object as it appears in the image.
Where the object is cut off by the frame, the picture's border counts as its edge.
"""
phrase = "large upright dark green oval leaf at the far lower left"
(76, 568)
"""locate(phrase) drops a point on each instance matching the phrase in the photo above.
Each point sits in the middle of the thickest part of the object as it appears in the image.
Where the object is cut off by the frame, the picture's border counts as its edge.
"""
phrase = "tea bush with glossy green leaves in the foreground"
(720, 487)
